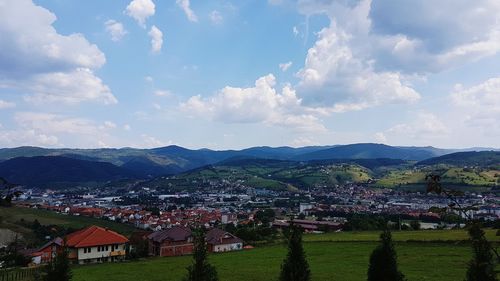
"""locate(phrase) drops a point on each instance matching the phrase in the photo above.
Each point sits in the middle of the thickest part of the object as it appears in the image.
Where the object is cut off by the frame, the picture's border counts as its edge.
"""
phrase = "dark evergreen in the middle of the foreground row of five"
(295, 266)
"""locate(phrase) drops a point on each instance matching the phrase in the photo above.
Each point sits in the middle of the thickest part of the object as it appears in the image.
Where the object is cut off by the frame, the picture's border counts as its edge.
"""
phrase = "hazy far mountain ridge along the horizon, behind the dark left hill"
(147, 163)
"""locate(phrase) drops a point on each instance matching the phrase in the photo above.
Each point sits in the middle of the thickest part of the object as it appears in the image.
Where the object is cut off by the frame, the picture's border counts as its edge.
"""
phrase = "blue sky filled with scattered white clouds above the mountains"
(226, 74)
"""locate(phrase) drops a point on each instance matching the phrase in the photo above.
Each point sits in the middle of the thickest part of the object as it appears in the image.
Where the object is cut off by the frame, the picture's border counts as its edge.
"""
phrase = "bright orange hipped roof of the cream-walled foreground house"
(94, 236)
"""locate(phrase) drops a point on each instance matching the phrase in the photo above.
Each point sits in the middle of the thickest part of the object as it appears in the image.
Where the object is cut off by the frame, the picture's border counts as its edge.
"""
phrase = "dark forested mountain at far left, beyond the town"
(42, 170)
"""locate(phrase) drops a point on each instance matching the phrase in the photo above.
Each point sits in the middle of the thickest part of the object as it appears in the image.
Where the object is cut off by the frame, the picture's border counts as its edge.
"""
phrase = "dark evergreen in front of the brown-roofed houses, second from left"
(200, 269)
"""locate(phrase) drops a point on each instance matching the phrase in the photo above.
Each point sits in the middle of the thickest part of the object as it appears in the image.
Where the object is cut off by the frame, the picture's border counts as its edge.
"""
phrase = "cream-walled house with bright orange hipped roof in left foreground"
(96, 244)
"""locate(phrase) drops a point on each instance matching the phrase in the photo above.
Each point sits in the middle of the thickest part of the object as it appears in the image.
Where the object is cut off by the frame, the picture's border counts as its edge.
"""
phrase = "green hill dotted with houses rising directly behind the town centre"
(269, 174)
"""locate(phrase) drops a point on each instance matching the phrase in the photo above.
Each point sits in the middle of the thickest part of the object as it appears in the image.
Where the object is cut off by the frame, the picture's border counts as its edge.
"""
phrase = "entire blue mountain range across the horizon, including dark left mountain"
(36, 165)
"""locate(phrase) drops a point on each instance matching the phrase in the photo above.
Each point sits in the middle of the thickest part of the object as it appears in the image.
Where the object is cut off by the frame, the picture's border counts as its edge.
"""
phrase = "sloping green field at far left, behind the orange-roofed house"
(11, 217)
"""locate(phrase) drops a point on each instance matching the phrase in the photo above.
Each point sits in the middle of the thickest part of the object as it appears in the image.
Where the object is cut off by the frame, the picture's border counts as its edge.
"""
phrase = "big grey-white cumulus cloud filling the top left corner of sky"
(36, 59)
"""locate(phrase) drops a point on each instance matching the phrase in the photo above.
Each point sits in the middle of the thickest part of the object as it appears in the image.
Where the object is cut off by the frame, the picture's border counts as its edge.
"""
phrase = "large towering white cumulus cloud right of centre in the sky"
(336, 78)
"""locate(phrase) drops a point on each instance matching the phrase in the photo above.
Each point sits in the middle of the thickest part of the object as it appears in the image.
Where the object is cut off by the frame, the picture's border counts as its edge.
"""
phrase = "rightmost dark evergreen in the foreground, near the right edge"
(481, 267)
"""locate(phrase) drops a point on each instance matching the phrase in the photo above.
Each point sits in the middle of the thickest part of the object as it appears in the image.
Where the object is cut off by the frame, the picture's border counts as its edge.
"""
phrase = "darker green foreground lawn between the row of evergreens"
(346, 261)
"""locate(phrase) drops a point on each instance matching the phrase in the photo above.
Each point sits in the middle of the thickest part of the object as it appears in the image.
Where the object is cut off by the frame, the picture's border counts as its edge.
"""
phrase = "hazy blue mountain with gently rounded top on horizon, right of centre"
(372, 151)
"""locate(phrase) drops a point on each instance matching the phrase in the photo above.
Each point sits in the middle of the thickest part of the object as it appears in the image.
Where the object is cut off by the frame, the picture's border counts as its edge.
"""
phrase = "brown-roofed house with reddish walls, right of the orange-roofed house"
(175, 241)
